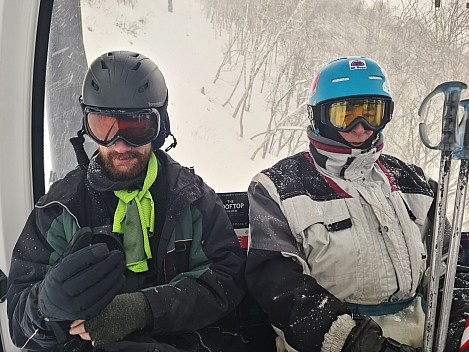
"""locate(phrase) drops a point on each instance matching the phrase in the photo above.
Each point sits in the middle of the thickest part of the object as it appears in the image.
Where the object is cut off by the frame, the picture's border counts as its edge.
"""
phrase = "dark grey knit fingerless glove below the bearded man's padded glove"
(127, 313)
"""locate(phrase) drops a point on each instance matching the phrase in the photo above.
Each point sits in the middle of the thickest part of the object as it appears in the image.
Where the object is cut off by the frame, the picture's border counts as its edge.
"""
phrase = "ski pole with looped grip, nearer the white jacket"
(448, 143)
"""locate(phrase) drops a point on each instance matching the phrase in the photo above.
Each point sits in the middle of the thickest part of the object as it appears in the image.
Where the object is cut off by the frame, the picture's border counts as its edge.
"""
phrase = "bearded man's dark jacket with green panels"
(197, 259)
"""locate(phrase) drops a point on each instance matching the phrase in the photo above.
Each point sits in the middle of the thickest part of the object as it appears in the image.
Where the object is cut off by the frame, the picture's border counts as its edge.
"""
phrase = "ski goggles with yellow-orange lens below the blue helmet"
(344, 115)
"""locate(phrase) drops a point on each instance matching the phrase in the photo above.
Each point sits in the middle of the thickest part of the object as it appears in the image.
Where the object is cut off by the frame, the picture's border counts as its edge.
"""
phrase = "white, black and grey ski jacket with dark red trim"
(334, 226)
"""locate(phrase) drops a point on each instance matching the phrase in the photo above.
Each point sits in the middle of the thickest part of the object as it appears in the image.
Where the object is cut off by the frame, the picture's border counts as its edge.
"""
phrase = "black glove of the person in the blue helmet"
(368, 336)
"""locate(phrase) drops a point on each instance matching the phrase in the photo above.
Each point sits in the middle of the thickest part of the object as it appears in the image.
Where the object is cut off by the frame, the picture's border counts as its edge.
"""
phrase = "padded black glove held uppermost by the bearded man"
(82, 283)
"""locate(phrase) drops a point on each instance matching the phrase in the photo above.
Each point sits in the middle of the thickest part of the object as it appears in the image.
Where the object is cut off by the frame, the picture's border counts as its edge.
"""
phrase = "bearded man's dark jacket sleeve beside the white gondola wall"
(31, 259)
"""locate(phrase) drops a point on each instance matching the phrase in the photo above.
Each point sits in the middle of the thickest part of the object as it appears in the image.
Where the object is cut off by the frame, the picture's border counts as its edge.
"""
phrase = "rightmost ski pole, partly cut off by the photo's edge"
(458, 215)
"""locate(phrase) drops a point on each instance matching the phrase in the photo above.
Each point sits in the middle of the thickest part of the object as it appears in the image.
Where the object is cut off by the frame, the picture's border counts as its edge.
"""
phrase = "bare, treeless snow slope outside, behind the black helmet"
(188, 51)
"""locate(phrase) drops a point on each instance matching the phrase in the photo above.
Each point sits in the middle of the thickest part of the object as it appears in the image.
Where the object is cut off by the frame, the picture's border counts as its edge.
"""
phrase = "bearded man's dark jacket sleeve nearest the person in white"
(214, 285)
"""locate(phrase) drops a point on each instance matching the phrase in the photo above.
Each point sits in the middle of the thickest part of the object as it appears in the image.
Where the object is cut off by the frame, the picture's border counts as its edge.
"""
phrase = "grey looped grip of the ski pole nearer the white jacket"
(449, 132)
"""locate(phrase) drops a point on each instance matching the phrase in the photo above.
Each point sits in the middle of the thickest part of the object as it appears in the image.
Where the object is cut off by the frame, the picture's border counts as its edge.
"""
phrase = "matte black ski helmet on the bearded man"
(127, 80)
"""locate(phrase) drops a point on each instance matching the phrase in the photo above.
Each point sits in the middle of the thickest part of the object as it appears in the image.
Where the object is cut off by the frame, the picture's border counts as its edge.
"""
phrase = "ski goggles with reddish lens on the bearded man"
(135, 127)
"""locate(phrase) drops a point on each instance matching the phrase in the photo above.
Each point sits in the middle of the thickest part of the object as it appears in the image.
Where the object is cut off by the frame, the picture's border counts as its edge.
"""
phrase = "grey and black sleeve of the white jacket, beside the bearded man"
(295, 303)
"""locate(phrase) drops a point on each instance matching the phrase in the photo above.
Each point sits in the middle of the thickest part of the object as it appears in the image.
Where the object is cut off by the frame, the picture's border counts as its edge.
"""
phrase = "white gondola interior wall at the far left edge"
(18, 27)
